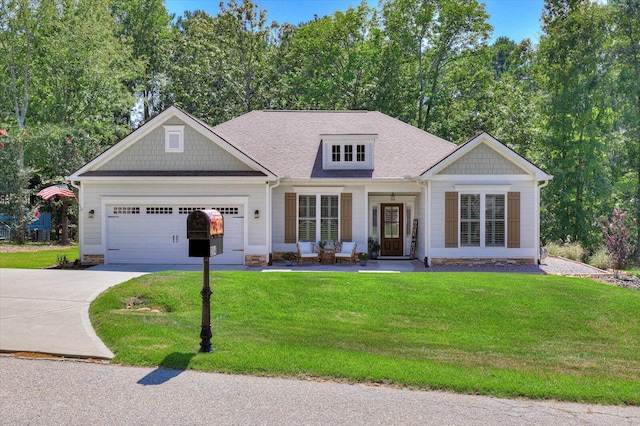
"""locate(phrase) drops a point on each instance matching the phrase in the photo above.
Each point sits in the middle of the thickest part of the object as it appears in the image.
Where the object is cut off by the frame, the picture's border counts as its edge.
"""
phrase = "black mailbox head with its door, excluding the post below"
(205, 230)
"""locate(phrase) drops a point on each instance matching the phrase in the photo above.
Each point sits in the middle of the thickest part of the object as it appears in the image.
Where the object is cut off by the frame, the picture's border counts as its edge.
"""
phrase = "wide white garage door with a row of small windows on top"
(158, 234)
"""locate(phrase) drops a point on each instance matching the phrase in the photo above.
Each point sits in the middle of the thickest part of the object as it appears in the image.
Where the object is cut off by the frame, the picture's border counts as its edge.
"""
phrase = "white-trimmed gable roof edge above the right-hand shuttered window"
(496, 145)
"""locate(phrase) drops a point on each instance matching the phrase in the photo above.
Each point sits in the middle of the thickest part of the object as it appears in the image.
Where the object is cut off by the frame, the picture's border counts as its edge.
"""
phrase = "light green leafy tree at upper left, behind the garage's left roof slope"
(84, 68)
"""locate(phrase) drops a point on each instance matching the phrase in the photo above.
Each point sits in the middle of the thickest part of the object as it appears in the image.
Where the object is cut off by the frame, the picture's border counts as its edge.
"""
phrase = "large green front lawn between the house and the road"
(541, 337)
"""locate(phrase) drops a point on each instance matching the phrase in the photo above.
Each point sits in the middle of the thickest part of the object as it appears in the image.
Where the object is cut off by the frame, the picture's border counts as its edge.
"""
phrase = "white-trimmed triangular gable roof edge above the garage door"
(91, 169)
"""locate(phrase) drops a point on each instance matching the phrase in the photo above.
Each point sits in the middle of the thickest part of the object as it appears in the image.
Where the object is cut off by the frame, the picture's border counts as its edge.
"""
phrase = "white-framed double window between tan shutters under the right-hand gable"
(482, 220)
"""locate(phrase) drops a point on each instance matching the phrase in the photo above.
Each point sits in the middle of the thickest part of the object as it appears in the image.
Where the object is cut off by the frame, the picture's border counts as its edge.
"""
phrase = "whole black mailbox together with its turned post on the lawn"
(205, 230)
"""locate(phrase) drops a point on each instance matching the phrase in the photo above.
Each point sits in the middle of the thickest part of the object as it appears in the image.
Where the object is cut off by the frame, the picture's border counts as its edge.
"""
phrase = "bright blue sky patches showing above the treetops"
(516, 19)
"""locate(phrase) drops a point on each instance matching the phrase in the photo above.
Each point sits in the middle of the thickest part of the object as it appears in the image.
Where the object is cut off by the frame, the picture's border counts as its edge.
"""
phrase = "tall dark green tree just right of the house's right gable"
(578, 115)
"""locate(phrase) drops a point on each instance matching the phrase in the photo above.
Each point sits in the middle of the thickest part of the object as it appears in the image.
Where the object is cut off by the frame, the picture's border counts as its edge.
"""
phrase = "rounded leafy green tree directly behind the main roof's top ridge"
(334, 61)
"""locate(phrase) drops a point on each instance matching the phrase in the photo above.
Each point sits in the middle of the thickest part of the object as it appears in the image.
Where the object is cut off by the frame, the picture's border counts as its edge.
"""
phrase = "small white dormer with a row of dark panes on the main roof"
(348, 152)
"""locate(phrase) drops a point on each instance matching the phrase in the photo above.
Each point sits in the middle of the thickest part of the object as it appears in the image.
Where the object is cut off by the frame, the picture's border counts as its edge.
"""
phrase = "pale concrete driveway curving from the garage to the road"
(47, 311)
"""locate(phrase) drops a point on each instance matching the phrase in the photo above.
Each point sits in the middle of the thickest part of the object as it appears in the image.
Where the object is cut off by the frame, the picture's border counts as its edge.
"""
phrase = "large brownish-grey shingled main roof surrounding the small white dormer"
(289, 143)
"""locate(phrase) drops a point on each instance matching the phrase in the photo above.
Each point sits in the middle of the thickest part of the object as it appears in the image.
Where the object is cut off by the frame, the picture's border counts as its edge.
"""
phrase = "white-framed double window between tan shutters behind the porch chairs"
(318, 224)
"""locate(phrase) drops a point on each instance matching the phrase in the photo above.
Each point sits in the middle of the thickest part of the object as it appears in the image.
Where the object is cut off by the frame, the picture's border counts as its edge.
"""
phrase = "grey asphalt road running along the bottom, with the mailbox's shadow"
(42, 392)
